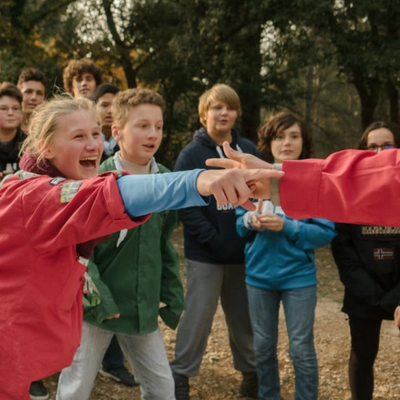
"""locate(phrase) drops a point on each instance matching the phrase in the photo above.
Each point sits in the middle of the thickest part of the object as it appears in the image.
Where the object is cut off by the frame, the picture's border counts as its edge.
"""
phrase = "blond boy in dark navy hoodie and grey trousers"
(214, 253)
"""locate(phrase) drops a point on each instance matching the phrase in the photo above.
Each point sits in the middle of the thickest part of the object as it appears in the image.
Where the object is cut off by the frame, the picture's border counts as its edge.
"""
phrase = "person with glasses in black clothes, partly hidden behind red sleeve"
(368, 259)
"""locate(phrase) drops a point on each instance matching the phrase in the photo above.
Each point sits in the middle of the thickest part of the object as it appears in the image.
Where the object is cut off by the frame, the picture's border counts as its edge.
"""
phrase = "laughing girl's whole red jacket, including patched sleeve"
(42, 219)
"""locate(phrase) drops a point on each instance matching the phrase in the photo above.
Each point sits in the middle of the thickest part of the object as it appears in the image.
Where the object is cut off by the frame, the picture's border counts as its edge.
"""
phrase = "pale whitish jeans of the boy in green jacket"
(145, 353)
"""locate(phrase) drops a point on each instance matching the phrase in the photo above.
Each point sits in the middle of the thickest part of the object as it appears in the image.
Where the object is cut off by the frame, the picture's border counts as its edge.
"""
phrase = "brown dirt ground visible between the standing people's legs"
(218, 379)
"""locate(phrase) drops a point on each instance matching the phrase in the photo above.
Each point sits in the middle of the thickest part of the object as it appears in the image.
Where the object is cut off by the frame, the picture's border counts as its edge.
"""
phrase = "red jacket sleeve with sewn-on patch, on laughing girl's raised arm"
(59, 214)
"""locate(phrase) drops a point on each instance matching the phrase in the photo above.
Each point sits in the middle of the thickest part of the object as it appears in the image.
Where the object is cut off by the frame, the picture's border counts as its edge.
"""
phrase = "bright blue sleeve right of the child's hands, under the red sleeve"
(309, 234)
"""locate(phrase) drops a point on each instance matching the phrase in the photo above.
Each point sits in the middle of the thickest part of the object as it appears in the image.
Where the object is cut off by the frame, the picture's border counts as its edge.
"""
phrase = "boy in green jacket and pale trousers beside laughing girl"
(134, 270)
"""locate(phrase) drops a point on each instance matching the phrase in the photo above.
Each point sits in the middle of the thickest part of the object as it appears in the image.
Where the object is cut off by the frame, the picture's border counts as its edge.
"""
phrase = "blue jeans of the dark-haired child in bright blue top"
(299, 307)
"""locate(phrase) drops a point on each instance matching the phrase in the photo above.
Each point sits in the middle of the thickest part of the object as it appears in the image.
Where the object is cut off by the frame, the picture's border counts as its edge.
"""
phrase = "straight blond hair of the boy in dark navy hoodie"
(219, 93)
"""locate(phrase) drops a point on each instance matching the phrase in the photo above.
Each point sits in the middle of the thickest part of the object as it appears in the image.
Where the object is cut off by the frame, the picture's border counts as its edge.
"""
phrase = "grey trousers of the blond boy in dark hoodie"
(206, 283)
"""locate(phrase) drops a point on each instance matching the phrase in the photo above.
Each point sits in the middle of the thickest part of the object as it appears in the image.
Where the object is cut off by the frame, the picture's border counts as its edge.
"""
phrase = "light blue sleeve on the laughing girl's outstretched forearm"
(145, 194)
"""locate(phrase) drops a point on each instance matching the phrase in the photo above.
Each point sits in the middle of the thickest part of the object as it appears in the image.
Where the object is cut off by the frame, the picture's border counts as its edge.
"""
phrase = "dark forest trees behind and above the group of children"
(336, 63)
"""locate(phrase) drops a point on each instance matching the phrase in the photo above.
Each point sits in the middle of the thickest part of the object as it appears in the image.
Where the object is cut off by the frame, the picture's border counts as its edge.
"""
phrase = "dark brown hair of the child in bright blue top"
(276, 124)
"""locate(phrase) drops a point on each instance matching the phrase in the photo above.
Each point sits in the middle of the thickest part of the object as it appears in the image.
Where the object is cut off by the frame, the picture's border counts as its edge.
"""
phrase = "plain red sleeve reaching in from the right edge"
(358, 187)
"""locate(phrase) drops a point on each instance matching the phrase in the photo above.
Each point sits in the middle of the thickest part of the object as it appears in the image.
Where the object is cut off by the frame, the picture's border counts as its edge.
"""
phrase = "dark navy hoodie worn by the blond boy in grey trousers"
(210, 232)
